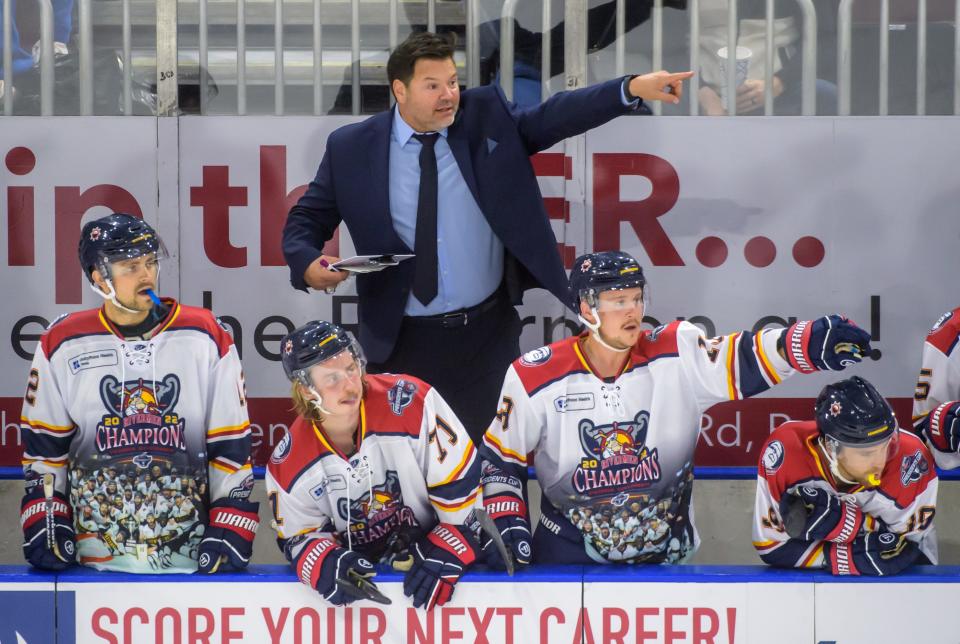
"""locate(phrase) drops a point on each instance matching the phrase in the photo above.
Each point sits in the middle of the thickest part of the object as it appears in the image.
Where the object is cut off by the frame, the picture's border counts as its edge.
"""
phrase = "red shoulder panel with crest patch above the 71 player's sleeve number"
(393, 404)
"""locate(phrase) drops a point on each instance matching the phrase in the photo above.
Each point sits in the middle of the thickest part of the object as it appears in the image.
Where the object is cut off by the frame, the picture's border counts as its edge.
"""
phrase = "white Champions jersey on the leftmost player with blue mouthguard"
(101, 408)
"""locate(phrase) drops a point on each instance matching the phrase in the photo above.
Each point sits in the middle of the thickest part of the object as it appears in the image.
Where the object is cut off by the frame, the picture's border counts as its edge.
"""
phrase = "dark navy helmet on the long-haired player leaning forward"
(313, 343)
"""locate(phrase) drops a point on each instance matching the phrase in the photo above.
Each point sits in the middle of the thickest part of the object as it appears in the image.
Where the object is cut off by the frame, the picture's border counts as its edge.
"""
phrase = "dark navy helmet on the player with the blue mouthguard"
(114, 238)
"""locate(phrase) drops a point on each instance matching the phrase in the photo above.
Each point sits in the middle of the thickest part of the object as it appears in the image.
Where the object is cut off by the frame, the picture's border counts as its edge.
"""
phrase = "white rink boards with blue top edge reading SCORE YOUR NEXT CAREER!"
(673, 604)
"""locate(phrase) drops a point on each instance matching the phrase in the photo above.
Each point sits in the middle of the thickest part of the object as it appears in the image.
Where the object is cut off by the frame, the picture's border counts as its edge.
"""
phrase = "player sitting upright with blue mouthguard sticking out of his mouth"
(137, 441)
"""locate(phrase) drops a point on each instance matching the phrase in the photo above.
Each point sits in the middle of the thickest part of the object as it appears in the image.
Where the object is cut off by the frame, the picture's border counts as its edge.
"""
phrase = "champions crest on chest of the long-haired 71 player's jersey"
(377, 513)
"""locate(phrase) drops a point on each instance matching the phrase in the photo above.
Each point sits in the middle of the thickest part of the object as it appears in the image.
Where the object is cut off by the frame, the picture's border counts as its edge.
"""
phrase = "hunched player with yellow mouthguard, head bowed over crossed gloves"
(849, 491)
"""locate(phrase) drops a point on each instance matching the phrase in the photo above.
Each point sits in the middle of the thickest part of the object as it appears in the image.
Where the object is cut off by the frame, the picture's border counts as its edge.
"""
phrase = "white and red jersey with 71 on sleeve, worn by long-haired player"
(414, 466)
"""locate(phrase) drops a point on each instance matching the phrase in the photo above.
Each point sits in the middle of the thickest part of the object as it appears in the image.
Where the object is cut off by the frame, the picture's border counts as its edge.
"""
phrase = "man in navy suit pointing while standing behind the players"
(446, 175)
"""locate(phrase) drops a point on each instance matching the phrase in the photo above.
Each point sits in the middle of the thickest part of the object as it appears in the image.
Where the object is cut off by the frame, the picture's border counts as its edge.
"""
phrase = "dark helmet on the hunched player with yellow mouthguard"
(852, 412)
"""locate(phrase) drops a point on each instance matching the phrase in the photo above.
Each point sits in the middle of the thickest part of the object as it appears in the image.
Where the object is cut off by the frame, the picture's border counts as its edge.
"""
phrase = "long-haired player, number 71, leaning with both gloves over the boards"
(375, 467)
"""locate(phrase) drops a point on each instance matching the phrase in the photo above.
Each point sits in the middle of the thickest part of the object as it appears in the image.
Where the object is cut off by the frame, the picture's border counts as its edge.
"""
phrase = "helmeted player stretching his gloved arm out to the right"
(612, 417)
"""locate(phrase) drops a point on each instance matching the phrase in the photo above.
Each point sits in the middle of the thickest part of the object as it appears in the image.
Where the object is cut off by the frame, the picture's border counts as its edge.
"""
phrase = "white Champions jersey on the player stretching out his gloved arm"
(620, 451)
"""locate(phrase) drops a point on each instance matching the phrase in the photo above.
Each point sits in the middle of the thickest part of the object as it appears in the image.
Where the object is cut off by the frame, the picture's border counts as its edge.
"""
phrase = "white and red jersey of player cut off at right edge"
(939, 380)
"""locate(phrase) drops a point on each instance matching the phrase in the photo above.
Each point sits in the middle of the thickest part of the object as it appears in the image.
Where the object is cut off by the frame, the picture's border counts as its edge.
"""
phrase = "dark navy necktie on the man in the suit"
(425, 242)
